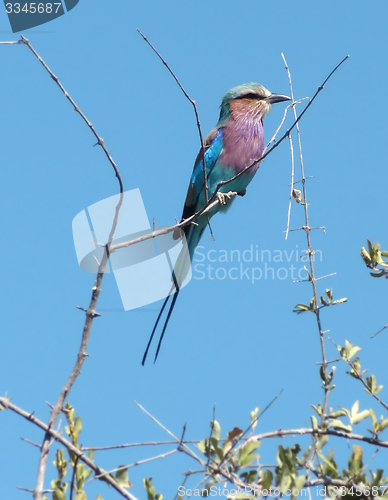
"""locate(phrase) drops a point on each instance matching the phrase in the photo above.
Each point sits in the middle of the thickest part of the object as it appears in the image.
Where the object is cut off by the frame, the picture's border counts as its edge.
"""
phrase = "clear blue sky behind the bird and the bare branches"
(230, 343)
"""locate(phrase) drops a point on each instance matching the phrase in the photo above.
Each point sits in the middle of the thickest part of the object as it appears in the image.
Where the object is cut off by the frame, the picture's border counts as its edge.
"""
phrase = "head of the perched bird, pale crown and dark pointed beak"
(249, 96)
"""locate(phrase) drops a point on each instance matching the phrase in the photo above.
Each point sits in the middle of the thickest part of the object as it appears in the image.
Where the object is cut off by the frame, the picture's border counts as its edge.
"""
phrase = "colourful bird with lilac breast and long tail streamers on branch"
(229, 149)
